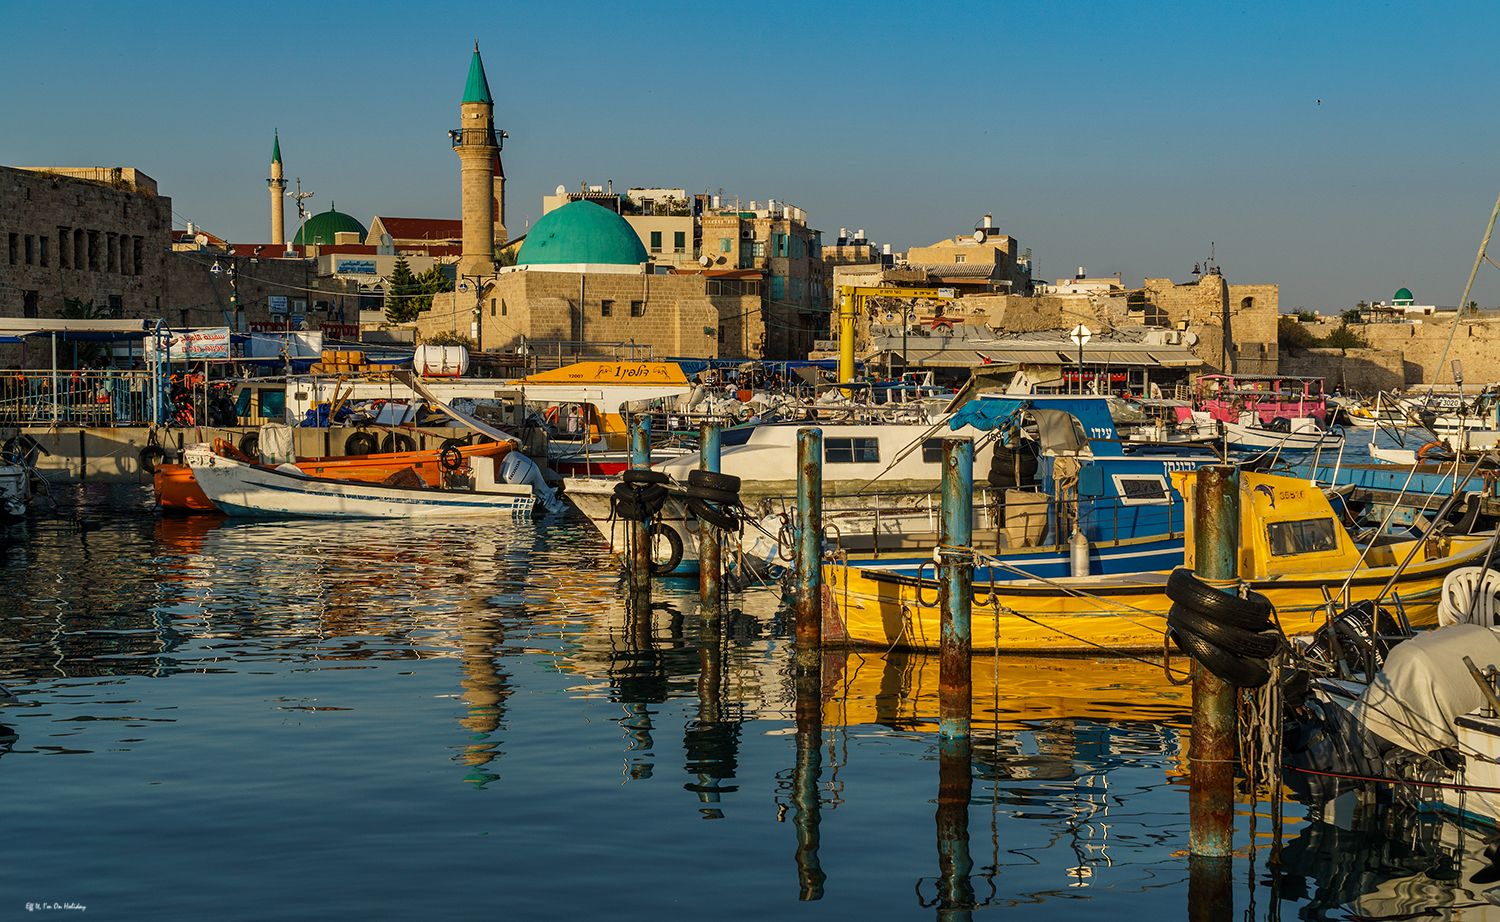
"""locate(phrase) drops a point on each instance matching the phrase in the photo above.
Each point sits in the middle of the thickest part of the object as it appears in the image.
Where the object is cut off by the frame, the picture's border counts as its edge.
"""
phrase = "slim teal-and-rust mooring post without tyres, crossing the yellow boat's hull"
(956, 593)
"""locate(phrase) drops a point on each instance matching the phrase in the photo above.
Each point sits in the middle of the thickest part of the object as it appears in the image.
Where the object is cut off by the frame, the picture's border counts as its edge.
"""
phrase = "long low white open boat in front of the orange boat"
(284, 491)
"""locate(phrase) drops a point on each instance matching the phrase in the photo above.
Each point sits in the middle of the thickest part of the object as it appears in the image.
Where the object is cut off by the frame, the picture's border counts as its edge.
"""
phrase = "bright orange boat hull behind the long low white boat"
(178, 492)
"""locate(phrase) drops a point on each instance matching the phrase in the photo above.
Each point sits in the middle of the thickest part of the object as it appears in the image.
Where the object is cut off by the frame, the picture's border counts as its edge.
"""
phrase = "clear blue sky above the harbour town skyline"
(1339, 151)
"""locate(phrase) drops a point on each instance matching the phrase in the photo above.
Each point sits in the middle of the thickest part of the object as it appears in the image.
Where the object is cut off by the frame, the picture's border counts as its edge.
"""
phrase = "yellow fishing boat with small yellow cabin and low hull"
(1294, 549)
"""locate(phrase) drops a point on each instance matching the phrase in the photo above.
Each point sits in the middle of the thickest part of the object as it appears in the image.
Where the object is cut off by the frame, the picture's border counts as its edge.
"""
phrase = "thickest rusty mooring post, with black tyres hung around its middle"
(1211, 756)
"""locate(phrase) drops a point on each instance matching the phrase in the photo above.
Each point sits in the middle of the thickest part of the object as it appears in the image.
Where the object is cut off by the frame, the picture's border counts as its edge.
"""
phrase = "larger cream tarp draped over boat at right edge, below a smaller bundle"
(1424, 686)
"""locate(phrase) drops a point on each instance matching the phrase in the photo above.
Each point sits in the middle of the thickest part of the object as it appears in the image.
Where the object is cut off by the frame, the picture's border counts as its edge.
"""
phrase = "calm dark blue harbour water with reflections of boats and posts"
(305, 720)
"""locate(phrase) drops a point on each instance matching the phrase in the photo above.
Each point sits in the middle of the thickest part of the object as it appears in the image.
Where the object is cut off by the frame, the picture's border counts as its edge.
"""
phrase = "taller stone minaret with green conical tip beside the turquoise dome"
(479, 154)
